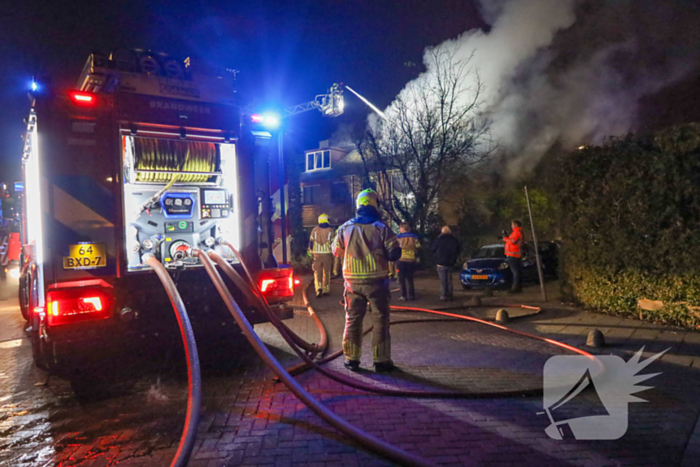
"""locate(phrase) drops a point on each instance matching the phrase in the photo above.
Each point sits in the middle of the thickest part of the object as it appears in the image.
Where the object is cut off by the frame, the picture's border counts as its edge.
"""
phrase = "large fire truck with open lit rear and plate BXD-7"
(145, 155)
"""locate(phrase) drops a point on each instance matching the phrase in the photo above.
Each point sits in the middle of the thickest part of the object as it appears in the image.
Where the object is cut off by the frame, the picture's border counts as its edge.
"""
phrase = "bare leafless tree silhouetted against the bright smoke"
(431, 136)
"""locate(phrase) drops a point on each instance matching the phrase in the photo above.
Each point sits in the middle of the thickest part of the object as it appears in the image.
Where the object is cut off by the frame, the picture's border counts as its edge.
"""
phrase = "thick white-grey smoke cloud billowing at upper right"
(568, 72)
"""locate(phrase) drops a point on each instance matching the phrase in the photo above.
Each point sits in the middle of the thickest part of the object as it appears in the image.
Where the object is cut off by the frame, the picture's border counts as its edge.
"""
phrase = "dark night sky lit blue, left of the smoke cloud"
(286, 51)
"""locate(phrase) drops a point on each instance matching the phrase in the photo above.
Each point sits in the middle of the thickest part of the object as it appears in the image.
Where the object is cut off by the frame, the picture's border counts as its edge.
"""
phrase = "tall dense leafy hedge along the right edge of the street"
(630, 213)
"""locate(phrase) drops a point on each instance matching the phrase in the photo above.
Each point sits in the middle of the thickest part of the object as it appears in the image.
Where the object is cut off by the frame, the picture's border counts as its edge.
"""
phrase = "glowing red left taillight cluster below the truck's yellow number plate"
(66, 306)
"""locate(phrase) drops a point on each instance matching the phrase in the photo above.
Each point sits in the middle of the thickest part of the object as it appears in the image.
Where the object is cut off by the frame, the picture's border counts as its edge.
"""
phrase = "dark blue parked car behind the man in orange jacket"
(488, 267)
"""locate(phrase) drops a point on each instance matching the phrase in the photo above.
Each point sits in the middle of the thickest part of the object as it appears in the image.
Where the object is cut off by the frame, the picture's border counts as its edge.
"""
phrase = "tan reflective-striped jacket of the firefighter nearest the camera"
(364, 249)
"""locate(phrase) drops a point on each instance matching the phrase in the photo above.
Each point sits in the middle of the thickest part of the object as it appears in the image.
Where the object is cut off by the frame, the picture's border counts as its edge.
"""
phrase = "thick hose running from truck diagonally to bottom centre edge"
(374, 444)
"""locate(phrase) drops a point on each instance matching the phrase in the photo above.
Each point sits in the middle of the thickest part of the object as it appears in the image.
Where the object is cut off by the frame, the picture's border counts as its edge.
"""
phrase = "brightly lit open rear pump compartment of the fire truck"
(178, 194)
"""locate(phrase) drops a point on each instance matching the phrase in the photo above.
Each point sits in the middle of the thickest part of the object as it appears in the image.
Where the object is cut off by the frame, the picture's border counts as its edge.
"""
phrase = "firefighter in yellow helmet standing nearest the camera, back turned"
(367, 245)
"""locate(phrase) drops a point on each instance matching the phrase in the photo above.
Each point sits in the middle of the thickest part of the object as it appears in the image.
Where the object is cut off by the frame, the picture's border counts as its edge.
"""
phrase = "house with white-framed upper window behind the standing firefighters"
(331, 180)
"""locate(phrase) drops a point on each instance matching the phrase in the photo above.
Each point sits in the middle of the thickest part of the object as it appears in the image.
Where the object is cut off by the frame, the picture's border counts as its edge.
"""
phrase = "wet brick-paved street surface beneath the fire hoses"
(248, 419)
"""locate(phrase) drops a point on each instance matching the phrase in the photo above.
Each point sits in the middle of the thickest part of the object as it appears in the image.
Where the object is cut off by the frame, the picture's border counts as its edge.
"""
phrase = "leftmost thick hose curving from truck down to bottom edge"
(194, 379)
